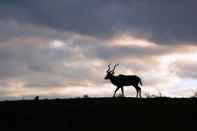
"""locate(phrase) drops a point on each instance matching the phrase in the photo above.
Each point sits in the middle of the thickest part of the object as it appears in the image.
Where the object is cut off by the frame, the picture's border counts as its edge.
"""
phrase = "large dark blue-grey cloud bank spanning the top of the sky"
(167, 21)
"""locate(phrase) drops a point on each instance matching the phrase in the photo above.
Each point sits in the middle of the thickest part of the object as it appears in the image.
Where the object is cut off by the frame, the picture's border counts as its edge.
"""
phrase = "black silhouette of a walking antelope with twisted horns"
(123, 80)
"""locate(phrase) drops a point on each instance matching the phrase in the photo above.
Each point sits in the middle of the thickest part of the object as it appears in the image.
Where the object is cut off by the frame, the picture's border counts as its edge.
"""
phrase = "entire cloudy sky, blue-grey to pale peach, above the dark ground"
(62, 48)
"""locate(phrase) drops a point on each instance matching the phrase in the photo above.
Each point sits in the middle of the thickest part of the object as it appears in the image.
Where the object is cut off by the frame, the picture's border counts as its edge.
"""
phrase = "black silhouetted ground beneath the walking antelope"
(100, 114)
